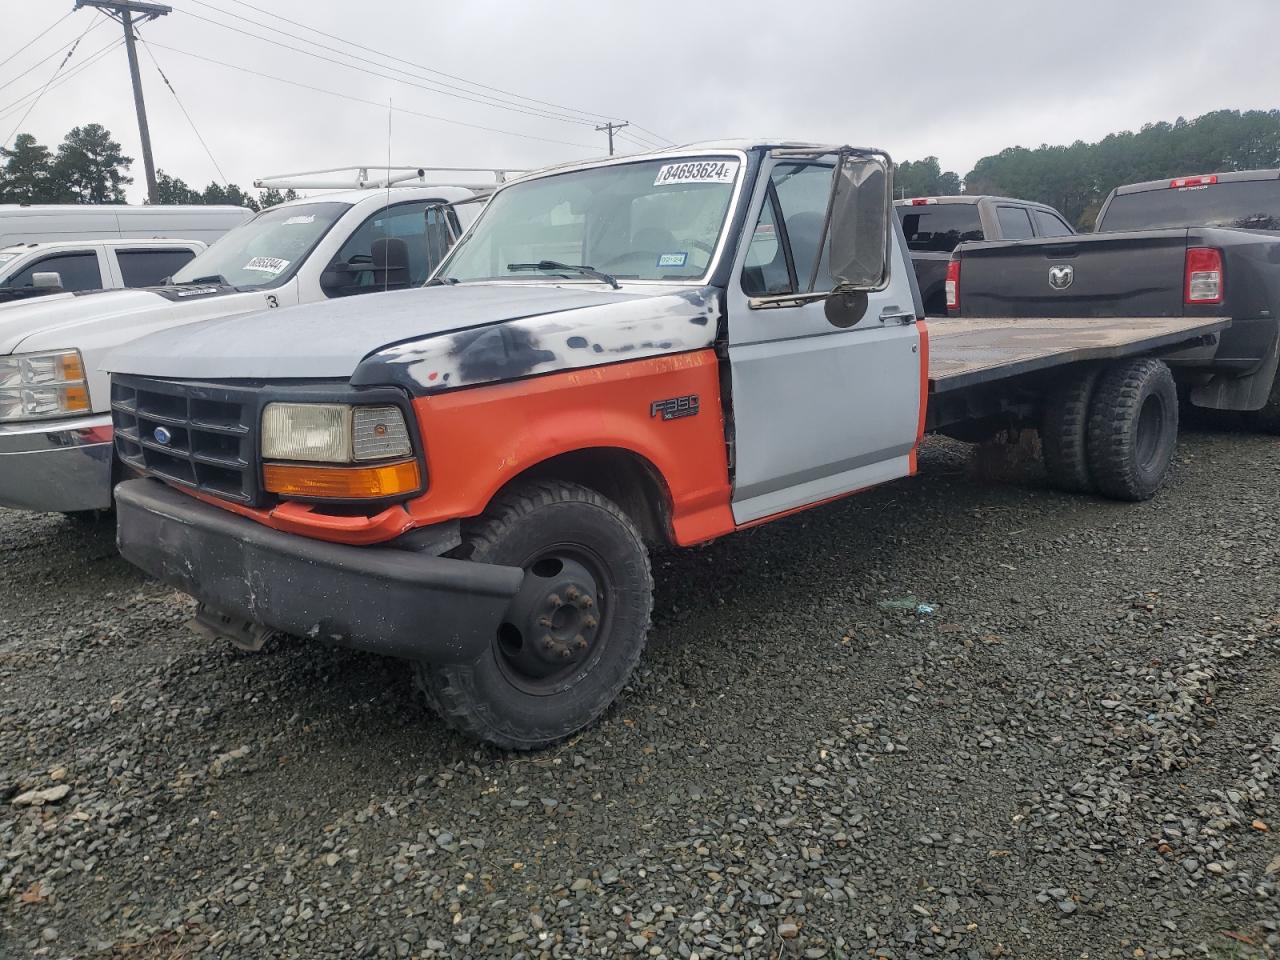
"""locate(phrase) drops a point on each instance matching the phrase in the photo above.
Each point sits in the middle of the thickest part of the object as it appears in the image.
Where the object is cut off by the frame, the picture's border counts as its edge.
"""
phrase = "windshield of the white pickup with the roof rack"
(267, 250)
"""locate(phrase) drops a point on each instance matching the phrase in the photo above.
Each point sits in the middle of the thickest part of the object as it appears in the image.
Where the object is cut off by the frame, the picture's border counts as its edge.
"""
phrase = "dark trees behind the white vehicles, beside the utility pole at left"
(90, 167)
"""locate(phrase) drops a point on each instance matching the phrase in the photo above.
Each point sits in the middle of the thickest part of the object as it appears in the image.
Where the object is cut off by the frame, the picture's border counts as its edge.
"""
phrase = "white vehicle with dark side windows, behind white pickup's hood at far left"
(74, 267)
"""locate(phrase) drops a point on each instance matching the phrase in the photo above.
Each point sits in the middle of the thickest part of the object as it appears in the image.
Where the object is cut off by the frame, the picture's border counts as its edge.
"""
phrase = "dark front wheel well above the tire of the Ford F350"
(627, 478)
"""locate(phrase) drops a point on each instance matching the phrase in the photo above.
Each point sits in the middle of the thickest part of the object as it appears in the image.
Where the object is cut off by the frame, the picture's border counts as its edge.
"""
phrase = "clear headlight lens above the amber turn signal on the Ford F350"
(333, 433)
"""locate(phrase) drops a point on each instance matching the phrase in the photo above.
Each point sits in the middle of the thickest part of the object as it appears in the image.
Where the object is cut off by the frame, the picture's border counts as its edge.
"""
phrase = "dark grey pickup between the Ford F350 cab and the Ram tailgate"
(935, 226)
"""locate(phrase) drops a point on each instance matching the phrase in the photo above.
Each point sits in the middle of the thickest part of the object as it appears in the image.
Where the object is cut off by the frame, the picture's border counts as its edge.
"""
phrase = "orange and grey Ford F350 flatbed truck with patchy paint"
(621, 354)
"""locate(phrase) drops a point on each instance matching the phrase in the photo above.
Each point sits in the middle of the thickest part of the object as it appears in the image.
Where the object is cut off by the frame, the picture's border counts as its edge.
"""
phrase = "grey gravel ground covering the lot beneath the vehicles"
(1076, 755)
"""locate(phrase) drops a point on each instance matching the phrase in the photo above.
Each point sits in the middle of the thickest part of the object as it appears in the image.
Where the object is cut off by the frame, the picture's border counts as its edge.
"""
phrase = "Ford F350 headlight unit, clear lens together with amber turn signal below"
(355, 444)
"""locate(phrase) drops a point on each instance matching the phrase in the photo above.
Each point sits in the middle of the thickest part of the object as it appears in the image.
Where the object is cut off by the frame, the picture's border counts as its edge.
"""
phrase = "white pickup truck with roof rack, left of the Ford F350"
(56, 423)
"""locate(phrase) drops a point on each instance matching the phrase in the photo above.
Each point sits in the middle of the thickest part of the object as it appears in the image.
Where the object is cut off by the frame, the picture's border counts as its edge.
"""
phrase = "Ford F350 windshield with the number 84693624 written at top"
(648, 221)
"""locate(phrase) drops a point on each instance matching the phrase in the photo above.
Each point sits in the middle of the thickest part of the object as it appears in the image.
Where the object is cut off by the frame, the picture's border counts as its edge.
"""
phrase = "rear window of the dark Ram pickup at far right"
(1252, 205)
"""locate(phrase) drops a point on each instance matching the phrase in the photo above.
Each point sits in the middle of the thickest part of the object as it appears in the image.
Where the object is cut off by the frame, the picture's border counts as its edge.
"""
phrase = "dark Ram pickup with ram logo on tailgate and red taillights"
(1192, 246)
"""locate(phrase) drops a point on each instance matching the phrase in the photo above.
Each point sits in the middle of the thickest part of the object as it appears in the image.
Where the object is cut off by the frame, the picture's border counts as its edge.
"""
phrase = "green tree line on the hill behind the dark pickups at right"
(1077, 179)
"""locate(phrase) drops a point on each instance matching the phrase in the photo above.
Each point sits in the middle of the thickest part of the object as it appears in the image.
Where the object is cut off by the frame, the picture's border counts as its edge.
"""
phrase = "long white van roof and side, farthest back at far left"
(39, 223)
